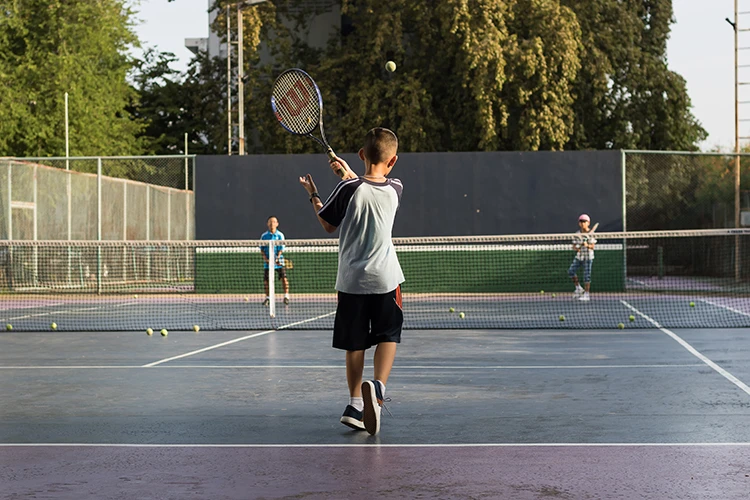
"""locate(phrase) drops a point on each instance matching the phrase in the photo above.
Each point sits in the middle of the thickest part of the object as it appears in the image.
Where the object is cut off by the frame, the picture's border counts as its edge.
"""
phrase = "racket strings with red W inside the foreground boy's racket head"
(296, 103)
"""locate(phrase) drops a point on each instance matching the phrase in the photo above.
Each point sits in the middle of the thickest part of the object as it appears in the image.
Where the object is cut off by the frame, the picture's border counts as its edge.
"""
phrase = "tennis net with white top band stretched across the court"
(673, 279)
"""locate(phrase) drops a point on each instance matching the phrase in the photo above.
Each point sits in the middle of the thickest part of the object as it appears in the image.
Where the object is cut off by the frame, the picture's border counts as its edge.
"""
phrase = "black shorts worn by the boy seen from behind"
(363, 321)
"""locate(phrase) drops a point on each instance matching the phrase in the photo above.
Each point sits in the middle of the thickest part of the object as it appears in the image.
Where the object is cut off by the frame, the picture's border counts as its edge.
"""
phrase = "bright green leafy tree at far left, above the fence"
(49, 47)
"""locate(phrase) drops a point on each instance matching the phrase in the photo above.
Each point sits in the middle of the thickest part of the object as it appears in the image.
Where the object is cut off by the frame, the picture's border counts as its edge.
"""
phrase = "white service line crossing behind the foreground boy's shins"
(338, 367)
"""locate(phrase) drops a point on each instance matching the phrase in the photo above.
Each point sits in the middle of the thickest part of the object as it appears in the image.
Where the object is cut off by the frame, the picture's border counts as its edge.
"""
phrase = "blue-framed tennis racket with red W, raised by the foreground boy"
(298, 105)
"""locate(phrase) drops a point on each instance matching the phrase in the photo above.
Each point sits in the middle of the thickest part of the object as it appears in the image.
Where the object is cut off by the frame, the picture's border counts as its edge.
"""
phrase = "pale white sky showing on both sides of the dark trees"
(700, 48)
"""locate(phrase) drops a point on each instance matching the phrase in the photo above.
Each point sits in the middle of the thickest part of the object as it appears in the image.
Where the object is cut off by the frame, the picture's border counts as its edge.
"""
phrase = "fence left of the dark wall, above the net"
(98, 198)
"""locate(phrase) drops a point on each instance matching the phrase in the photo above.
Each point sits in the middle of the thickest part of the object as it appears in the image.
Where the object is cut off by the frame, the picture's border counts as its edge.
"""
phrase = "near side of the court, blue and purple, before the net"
(477, 413)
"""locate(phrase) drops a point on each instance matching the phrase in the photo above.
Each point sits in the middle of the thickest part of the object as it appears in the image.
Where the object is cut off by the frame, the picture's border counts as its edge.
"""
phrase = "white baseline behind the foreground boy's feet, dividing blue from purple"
(371, 445)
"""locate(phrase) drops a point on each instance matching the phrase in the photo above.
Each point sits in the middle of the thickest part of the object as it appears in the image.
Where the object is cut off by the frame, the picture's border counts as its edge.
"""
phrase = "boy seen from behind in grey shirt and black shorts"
(369, 274)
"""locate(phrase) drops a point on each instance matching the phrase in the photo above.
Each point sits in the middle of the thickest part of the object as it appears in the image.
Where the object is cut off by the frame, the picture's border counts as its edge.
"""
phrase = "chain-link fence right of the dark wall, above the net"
(672, 190)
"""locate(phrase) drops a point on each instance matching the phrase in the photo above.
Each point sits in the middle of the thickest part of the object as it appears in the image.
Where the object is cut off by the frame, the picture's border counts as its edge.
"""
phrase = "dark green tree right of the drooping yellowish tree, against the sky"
(626, 97)
